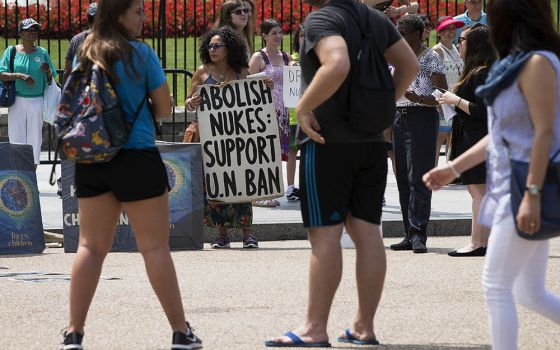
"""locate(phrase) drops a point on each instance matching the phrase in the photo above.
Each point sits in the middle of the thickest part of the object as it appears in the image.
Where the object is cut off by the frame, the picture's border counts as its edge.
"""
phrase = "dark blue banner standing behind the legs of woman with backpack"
(186, 202)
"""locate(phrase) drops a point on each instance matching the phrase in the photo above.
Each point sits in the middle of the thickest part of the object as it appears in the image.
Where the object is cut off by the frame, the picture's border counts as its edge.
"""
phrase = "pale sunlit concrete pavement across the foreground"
(235, 299)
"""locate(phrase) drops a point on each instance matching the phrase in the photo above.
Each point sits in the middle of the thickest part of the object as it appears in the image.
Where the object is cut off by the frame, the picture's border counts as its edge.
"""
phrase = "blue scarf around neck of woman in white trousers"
(502, 74)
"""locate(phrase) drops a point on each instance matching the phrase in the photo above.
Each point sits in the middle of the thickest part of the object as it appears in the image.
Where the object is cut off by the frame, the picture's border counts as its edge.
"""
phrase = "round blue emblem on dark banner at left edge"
(15, 196)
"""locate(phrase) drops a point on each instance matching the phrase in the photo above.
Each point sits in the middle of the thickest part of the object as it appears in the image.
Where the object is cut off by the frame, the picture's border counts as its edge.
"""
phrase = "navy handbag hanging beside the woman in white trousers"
(550, 197)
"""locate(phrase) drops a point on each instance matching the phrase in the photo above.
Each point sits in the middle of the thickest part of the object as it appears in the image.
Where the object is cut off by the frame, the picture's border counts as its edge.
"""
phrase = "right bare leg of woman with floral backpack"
(150, 221)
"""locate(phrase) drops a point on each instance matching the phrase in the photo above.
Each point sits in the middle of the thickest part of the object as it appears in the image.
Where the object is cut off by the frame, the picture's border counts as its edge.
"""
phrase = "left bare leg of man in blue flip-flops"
(325, 271)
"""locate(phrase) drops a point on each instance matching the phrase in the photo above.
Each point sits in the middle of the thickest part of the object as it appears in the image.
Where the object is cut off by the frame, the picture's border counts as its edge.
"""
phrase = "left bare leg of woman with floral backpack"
(98, 218)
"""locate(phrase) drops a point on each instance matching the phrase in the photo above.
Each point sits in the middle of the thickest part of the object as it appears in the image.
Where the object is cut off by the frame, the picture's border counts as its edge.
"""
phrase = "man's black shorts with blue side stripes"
(342, 178)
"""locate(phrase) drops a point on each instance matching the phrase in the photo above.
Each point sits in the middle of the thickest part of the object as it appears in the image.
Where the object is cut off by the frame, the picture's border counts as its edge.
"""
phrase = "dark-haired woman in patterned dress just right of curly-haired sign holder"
(271, 60)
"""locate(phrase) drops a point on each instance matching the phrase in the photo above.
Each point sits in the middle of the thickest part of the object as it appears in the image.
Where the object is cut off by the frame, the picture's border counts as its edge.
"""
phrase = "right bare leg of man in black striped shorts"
(371, 267)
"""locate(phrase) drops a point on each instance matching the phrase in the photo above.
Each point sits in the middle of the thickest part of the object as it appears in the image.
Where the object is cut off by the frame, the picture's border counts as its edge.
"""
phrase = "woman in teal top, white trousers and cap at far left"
(33, 70)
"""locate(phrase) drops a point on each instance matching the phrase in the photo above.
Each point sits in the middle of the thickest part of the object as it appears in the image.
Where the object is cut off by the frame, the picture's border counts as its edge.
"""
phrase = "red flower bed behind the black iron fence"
(183, 17)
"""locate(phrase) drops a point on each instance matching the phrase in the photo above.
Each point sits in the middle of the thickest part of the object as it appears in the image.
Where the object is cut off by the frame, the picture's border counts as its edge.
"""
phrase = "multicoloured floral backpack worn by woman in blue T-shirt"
(90, 125)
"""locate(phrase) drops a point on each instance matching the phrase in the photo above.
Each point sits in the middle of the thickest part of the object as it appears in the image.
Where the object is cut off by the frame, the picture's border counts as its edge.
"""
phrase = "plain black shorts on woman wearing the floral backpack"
(133, 174)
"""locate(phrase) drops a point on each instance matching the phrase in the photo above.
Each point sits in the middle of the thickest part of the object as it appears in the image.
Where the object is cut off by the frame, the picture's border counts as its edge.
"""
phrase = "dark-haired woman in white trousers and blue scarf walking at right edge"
(522, 93)
